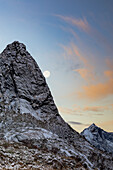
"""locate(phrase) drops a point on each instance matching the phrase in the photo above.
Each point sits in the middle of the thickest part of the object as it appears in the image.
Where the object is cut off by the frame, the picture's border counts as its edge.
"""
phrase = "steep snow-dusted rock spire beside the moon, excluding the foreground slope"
(26, 100)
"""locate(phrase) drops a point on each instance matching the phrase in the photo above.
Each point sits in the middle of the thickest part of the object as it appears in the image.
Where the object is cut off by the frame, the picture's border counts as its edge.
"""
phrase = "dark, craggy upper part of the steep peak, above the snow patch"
(20, 73)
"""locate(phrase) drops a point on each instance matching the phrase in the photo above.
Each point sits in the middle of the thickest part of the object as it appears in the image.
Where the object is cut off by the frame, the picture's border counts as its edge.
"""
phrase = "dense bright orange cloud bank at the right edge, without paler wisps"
(100, 90)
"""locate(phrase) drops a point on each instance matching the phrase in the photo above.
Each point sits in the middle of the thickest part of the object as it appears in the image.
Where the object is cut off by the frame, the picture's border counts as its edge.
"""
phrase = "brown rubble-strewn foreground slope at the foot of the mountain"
(19, 156)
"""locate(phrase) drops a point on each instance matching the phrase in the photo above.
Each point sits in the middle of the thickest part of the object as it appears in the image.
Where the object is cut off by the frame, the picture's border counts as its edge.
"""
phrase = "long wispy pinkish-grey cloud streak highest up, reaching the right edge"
(85, 26)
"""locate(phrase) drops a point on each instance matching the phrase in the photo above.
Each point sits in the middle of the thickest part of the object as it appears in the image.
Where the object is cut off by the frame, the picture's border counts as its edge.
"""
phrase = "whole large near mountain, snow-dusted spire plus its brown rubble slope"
(31, 125)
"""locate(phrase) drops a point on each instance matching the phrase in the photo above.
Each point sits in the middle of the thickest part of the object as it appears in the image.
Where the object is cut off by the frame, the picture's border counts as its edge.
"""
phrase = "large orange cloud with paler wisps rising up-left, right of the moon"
(95, 89)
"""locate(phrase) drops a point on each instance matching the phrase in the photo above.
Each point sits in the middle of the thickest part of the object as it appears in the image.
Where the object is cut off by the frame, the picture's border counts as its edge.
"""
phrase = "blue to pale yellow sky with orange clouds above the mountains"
(73, 40)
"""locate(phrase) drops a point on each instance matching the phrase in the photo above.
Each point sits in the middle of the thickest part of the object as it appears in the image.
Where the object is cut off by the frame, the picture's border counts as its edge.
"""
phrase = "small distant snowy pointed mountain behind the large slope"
(99, 138)
